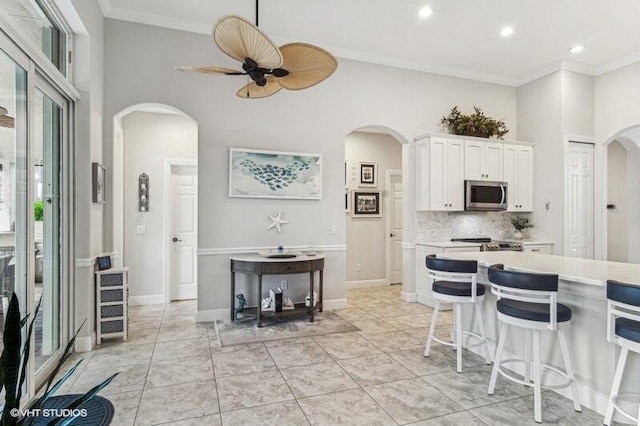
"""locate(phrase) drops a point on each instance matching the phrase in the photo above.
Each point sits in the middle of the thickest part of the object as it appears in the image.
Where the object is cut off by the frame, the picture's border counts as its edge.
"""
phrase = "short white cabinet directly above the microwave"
(483, 160)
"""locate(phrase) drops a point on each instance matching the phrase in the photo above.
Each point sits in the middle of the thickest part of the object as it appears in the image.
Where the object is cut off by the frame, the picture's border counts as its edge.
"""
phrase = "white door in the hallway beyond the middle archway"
(394, 252)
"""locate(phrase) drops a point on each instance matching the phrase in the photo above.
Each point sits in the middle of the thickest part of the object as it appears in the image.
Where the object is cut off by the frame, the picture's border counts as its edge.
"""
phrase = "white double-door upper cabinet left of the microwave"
(440, 174)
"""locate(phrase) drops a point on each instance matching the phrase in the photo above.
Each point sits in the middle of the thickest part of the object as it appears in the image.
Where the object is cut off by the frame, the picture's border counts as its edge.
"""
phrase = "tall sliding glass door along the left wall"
(35, 206)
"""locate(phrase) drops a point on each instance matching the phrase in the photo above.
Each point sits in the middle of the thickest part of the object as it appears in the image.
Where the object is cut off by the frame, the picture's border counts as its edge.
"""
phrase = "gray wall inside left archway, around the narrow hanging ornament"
(148, 139)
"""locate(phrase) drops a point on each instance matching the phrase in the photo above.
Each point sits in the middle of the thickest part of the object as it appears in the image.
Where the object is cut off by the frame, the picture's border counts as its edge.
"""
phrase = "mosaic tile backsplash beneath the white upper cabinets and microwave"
(442, 226)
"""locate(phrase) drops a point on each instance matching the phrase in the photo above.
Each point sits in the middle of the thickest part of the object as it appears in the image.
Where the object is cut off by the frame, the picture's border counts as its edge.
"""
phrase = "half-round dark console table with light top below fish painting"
(259, 265)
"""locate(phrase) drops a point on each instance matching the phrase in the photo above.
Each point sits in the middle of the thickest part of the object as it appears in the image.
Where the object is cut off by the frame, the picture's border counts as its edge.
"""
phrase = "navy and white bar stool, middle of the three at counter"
(530, 301)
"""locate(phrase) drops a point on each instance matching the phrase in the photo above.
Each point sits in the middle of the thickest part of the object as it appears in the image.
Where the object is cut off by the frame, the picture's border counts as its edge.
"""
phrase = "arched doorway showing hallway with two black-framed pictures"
(374, 206)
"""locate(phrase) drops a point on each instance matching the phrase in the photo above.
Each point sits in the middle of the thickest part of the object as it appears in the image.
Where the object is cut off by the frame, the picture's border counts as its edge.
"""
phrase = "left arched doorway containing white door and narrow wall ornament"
(154, 156)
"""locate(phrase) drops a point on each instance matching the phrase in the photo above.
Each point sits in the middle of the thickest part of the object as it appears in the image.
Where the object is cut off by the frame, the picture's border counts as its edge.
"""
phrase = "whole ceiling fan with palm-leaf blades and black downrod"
(293, 66)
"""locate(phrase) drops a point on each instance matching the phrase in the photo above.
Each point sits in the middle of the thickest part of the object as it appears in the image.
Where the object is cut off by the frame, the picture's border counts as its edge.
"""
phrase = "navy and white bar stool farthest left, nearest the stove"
(455, 282)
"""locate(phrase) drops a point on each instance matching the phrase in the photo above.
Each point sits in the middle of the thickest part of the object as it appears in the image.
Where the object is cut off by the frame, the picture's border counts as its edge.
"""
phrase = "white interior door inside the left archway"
(183, 233)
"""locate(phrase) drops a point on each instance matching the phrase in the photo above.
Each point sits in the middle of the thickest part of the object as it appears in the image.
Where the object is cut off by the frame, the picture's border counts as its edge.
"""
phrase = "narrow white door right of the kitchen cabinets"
(580, 197)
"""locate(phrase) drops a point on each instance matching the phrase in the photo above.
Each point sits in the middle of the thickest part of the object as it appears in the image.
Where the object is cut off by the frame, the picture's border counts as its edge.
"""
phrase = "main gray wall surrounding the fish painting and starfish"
(139, 67)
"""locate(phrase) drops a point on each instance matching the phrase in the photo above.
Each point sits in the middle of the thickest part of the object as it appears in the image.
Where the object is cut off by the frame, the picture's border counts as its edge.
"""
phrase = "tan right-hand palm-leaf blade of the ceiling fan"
(307, 65)
